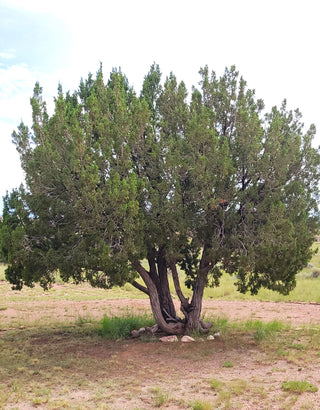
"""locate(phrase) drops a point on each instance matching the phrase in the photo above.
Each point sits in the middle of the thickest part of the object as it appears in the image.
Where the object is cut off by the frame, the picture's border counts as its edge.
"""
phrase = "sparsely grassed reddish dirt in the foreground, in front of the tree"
(88, 372)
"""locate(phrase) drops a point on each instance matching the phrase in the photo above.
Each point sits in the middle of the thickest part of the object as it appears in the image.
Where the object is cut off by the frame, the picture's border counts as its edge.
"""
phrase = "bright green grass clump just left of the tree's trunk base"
(119, 327)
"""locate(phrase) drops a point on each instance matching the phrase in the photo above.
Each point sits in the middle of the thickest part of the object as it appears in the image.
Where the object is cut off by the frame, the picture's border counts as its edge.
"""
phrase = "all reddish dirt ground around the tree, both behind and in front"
(58, 369)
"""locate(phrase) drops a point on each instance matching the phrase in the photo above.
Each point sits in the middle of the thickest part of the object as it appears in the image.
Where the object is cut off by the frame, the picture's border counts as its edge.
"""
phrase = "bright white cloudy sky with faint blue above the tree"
(274, 45)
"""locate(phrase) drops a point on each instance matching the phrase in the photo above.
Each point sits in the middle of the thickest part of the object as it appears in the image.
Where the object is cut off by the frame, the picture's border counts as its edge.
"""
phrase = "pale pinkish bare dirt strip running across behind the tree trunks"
(295, 314)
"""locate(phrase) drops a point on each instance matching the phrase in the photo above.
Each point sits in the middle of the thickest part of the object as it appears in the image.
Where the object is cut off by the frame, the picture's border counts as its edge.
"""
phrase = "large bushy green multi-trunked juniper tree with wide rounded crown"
(208, 185)
